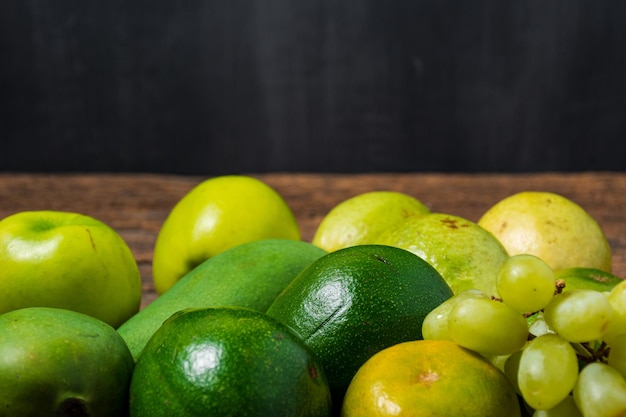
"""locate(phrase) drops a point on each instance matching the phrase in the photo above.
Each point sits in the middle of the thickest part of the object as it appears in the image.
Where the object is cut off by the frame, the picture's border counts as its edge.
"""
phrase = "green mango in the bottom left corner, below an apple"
(57, 362)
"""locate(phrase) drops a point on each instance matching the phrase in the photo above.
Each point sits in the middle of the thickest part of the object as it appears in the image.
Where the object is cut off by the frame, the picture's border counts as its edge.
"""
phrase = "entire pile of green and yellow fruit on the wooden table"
(392, 309)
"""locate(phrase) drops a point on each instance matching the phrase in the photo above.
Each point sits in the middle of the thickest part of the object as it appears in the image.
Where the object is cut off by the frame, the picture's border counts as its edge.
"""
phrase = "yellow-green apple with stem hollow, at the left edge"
(67, 260)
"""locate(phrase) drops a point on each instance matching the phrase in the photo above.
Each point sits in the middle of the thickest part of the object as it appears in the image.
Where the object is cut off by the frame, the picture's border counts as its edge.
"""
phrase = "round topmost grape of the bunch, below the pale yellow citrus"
(526, 283)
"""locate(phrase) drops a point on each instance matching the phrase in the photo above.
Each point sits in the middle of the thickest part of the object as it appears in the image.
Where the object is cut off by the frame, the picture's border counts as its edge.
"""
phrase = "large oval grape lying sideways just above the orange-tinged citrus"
(487, 326)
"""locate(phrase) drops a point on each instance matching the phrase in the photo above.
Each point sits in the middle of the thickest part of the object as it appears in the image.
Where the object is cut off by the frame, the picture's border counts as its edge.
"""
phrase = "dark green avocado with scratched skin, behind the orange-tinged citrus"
(356, 301)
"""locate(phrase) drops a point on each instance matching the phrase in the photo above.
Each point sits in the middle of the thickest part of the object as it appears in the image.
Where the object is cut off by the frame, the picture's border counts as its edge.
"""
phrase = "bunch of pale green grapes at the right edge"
(563, 350)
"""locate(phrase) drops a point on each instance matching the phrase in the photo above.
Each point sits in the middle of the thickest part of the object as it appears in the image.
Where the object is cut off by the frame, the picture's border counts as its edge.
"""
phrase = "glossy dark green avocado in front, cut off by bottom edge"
(227, 361)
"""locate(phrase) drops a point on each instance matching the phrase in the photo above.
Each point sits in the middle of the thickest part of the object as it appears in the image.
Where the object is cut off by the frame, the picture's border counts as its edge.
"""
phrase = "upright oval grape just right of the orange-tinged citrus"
(548, 369)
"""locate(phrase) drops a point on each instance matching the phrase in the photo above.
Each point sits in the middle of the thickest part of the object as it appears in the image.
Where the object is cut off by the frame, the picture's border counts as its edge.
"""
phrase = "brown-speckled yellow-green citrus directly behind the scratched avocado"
(465, 254)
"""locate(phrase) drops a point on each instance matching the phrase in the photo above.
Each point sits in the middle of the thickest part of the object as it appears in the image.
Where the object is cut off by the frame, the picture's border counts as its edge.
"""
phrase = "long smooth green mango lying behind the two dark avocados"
(249, 275)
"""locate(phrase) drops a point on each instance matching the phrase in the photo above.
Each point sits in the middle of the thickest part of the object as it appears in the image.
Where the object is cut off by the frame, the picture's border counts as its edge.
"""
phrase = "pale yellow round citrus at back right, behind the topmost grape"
(550, 226)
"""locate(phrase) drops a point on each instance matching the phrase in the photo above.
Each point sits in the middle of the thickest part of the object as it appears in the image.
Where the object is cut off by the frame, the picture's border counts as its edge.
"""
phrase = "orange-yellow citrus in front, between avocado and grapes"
(429, 378)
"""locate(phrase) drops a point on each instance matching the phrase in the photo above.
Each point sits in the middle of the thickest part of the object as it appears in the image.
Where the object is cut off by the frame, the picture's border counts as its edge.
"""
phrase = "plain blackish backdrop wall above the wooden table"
(214, 87)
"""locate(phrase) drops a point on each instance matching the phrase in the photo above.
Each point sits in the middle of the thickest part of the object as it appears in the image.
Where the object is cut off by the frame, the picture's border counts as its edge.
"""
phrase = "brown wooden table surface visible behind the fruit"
(137, 204)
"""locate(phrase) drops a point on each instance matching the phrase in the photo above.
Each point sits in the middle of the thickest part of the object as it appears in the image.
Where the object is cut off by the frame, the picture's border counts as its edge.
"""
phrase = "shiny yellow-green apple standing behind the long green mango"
(218, 214)
